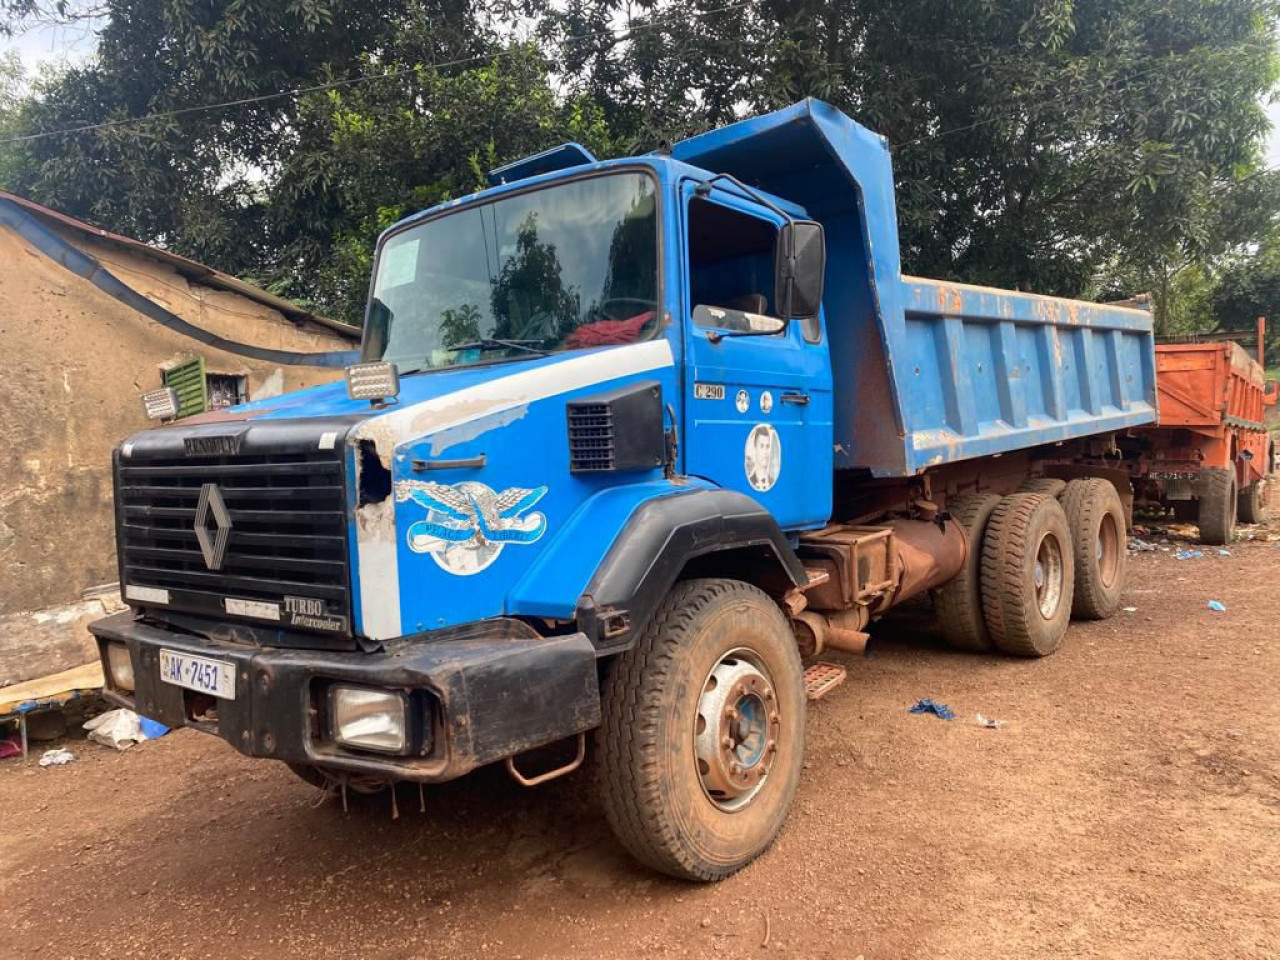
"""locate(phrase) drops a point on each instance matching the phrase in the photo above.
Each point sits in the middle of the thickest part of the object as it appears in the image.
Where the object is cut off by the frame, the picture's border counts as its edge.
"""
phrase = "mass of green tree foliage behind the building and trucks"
(1067, 147)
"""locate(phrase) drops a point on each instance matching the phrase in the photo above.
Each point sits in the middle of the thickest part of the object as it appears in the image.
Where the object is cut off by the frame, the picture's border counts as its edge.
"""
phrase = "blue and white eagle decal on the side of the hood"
(468, 524)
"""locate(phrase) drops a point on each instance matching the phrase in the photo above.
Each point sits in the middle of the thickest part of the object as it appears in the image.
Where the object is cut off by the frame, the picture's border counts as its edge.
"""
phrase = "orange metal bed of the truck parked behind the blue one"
(1209, 385)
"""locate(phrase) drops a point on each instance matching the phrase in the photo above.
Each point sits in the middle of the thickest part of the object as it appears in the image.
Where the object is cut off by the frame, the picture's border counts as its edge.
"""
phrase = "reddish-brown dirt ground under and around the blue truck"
(1131, 808)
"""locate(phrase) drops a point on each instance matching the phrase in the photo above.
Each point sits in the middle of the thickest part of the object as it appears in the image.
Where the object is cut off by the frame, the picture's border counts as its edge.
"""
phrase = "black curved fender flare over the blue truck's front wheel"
(661, 540)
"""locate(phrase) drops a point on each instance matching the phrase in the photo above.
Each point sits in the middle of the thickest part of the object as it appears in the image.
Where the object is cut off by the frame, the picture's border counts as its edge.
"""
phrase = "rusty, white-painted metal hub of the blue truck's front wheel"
(737, 734)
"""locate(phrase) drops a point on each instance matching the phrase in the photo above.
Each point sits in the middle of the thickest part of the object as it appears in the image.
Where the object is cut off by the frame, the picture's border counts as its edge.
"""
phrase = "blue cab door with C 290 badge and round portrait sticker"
(758, 409)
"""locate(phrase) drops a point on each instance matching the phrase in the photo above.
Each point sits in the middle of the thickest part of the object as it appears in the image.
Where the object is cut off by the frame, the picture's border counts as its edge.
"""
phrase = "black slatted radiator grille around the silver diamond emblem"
(289, 531)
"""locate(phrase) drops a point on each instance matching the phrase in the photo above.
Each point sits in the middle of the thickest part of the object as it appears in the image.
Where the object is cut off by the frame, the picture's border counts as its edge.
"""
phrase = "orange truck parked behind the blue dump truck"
(1209, 458)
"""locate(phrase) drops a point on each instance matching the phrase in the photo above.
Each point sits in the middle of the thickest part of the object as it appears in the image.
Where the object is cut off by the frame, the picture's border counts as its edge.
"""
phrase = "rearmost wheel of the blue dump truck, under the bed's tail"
(1096, 519)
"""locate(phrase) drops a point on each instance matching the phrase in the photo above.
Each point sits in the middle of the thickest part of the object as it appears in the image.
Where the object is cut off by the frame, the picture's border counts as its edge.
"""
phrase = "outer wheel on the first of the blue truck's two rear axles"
(1028, 573)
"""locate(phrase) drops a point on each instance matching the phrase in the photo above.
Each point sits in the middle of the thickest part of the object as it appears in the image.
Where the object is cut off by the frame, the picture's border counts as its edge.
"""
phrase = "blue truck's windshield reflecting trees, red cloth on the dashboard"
(561, 268)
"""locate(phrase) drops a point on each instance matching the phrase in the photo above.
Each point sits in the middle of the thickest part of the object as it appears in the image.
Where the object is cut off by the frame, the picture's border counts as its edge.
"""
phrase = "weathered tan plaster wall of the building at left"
(74, 364)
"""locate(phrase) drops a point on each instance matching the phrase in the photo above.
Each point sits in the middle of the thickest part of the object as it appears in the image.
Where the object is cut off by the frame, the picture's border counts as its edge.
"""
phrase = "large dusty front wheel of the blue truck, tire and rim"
(702, 742)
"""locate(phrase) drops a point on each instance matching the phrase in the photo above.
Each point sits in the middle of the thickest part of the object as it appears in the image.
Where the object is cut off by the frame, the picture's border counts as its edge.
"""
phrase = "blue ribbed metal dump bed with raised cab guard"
(925, 372)
